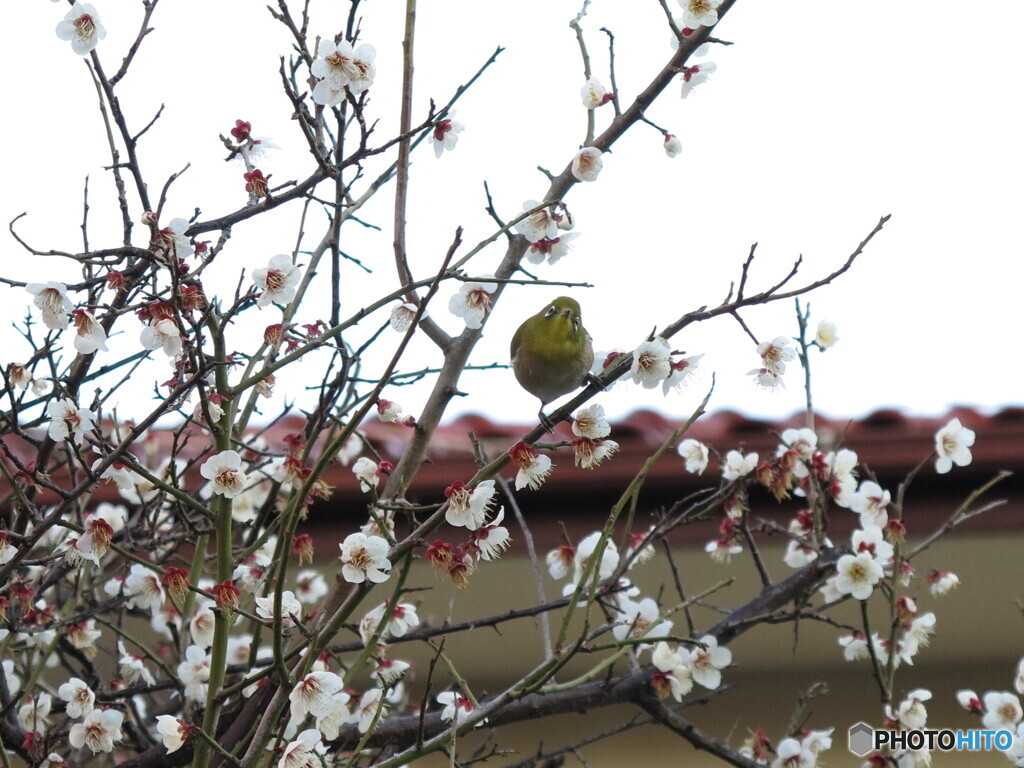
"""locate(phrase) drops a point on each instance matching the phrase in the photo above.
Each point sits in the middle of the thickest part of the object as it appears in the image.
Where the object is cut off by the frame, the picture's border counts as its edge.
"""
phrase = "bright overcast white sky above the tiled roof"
(821, 119)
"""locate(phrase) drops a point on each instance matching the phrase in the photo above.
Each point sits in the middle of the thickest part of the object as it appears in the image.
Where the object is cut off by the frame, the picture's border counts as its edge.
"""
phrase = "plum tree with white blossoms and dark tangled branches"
(193, 621)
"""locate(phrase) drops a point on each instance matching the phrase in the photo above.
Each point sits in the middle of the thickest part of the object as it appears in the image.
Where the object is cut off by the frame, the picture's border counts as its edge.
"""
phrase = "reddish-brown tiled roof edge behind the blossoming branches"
(888, 442)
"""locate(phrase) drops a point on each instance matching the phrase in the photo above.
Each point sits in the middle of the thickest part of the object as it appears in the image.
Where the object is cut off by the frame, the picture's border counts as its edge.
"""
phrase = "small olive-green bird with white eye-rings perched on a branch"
(552, 353)
